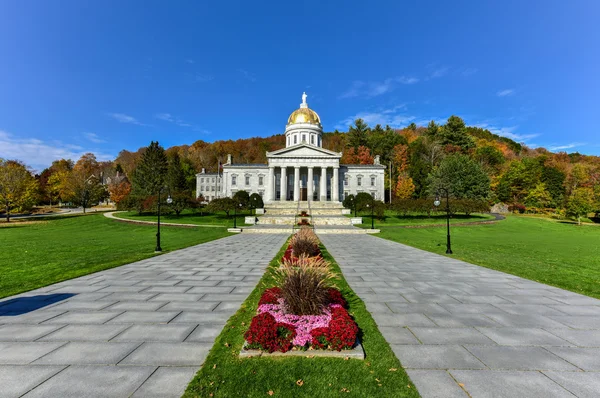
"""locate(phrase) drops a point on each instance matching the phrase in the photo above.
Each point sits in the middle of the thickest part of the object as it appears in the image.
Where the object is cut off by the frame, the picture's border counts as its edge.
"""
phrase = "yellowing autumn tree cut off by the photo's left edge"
(18, 188)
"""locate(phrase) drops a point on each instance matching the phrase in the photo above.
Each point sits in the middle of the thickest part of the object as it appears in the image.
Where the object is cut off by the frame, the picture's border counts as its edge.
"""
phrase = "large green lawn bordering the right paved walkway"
(552, 252)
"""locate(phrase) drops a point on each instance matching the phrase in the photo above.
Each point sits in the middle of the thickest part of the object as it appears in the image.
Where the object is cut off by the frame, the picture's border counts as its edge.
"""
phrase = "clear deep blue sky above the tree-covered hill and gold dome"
(109, 75)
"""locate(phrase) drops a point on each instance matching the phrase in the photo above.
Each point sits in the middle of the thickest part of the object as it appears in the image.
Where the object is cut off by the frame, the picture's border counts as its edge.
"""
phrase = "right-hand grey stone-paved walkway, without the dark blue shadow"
(458, 327)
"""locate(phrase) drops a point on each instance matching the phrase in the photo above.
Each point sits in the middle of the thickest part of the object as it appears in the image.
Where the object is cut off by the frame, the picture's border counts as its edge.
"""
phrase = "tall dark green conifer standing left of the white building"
(150, 175)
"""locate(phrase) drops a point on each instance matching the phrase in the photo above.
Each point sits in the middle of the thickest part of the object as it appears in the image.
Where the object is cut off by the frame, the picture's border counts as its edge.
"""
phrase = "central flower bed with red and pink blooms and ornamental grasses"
(314, 316)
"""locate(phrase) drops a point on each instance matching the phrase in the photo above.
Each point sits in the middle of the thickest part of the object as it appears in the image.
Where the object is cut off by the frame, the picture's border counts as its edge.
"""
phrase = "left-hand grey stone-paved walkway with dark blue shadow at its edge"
(143, 328)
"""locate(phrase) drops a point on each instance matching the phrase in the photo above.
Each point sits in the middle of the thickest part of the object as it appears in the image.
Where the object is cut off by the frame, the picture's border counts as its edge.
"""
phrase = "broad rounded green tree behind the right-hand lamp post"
(463, 177)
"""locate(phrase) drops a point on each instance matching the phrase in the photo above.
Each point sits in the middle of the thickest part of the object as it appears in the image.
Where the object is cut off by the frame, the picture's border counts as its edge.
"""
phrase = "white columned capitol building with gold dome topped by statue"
(302, 171)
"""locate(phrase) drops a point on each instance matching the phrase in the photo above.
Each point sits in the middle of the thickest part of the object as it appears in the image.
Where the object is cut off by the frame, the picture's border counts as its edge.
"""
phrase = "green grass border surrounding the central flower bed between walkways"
(224, 374)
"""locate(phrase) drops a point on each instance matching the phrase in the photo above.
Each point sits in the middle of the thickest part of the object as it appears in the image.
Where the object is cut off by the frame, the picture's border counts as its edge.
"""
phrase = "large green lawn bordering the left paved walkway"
(39, 253)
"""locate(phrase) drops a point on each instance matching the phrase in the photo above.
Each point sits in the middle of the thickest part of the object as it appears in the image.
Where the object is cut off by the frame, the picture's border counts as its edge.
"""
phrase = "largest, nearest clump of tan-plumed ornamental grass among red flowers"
(304, 288)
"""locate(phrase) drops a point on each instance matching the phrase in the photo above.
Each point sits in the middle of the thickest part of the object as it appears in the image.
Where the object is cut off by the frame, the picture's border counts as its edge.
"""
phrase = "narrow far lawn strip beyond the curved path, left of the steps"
(187, 217)
